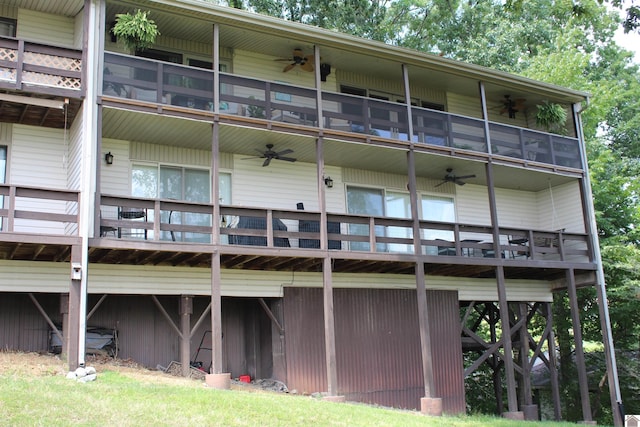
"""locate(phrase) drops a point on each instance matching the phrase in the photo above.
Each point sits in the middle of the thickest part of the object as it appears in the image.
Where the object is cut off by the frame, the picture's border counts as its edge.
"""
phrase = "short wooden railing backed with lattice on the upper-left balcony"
(40, 68)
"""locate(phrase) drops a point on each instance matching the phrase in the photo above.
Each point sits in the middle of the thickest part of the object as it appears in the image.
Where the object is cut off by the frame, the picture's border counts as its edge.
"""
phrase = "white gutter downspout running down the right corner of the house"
(603, 305)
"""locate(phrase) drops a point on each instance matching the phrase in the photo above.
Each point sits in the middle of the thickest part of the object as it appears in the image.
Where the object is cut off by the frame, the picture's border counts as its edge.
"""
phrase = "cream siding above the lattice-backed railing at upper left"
(46, 28)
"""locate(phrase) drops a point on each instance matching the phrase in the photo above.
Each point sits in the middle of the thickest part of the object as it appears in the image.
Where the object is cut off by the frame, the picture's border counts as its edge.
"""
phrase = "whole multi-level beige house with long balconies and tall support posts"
(265, 198)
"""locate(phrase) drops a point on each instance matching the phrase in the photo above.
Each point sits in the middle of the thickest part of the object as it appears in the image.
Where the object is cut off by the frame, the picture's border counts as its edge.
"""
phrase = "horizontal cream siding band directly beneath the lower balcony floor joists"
(26, 276)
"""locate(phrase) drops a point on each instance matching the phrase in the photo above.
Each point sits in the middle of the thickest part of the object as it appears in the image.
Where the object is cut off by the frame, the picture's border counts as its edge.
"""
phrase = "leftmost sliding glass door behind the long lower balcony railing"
(179, 183)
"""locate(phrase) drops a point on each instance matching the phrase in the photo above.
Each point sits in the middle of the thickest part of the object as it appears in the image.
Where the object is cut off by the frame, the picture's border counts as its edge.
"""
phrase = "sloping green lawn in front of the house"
(35, 394)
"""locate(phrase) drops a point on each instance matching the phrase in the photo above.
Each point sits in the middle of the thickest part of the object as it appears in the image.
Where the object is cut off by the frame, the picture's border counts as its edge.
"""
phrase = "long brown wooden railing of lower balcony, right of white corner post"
(187, 222)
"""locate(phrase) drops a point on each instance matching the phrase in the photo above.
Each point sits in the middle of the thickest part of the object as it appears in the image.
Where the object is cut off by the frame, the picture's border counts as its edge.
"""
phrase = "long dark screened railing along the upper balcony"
(154, 81)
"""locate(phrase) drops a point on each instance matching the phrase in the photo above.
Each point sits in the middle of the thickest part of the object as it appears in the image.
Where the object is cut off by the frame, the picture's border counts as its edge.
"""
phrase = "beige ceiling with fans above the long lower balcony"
(247, 141)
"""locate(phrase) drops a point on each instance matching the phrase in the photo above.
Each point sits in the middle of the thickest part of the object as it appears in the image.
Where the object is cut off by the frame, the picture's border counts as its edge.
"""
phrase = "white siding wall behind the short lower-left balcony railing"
(38, 158)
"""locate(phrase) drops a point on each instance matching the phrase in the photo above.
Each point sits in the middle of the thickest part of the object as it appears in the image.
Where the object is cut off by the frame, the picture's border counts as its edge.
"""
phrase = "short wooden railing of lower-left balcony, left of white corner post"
(38, 210)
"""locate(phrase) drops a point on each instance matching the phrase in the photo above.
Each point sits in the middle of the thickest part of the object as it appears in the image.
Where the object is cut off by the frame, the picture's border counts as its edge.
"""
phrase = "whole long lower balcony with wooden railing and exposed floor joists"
(156, 231)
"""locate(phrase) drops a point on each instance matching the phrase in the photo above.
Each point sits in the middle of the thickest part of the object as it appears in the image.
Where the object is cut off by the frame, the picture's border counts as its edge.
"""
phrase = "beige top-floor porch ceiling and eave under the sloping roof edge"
(193, 20)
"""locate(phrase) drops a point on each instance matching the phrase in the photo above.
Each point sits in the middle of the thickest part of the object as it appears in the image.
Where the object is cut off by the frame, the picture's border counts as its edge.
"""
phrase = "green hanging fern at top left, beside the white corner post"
(136, 31)
